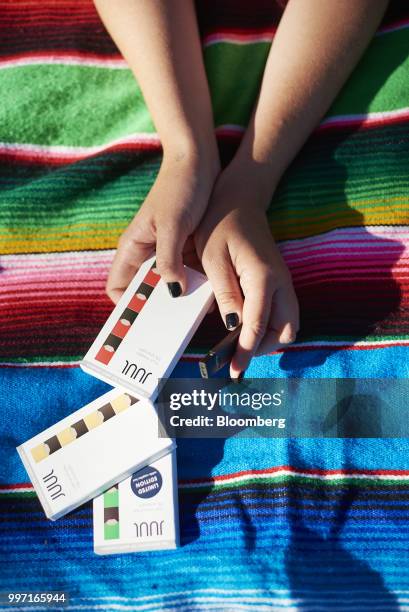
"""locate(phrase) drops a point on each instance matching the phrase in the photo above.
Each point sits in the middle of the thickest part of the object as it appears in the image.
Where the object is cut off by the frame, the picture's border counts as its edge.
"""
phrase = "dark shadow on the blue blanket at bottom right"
(310, 548)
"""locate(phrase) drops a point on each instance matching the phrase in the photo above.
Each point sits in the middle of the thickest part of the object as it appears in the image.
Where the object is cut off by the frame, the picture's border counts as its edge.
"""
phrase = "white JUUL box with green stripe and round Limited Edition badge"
(141, 512)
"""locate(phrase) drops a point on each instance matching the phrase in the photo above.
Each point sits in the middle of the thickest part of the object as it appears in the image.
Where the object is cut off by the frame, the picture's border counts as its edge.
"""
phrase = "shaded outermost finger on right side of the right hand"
(284, 321)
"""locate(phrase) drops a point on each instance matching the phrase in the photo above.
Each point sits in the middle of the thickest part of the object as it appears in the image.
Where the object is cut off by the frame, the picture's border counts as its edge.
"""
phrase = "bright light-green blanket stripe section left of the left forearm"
(70, 105)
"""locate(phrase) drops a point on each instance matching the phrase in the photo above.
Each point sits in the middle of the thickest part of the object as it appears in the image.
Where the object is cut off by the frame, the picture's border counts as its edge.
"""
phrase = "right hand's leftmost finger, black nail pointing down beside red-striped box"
(226, 290)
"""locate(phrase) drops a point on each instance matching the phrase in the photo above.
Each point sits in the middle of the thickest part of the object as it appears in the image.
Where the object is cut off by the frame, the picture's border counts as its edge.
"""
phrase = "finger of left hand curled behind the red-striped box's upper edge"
(128, 258)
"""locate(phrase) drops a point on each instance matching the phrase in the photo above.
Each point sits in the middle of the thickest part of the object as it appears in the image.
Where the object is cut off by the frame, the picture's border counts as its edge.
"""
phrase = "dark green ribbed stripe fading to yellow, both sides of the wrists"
(106, 191)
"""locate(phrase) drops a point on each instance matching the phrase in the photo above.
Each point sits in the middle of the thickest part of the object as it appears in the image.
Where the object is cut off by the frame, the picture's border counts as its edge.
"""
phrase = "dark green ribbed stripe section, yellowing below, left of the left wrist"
(107, 192)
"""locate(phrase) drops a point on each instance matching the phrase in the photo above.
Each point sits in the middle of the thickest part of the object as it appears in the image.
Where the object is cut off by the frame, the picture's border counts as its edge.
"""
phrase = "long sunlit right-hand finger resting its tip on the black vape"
(258, 292)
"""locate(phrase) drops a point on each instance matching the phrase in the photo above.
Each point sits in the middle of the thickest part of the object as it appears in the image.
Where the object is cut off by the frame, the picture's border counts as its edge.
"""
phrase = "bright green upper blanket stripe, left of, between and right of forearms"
(85, 106)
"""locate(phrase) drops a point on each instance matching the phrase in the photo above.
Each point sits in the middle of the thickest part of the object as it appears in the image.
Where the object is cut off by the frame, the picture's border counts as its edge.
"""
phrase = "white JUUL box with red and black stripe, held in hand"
(147, 331)
